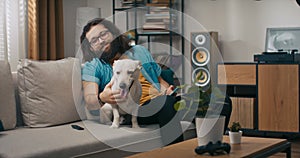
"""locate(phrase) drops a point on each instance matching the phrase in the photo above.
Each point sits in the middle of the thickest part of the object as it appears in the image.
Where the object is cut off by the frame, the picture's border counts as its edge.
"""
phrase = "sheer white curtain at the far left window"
(13, 43)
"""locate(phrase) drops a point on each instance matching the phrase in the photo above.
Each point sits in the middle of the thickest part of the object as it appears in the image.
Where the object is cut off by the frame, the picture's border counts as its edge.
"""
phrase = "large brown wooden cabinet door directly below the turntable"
(278, 97)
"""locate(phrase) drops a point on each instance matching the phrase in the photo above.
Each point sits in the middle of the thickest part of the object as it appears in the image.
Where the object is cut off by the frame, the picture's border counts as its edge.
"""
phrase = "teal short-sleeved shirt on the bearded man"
(101, 72)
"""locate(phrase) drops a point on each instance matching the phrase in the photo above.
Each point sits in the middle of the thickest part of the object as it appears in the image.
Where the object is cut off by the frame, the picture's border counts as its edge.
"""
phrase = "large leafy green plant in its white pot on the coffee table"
(205, 105)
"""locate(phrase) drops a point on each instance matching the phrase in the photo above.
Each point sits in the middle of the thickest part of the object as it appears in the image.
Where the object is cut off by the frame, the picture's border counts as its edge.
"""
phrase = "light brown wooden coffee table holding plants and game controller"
(250, 147)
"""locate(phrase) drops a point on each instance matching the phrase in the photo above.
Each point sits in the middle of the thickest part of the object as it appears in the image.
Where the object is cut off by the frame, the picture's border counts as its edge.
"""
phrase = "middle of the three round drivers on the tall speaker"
(200, 56)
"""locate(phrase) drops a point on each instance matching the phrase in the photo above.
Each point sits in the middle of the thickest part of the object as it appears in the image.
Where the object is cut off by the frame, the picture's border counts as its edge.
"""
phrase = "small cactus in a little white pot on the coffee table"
(235, 133)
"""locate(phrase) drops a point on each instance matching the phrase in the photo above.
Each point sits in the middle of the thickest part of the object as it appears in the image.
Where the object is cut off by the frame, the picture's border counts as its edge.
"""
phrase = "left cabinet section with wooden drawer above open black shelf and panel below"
(236, 77)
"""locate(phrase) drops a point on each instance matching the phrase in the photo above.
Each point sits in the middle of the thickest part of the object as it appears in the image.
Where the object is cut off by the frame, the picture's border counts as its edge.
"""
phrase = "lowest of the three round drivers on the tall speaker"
(201, 77)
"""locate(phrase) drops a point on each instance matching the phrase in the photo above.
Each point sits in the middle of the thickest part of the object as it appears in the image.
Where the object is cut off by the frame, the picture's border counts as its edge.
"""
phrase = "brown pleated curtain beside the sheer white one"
(45, 29)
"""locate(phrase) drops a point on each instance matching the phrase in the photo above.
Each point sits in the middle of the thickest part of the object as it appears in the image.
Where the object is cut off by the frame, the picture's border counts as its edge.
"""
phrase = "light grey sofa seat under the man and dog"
(95, 140)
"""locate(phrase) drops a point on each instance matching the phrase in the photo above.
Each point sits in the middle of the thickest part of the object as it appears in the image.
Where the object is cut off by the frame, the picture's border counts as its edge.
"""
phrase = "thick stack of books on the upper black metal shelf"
(159, 18)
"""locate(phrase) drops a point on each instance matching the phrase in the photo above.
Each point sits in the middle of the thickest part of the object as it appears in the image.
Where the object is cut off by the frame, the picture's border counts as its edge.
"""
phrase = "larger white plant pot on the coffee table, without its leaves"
(210, 129)
